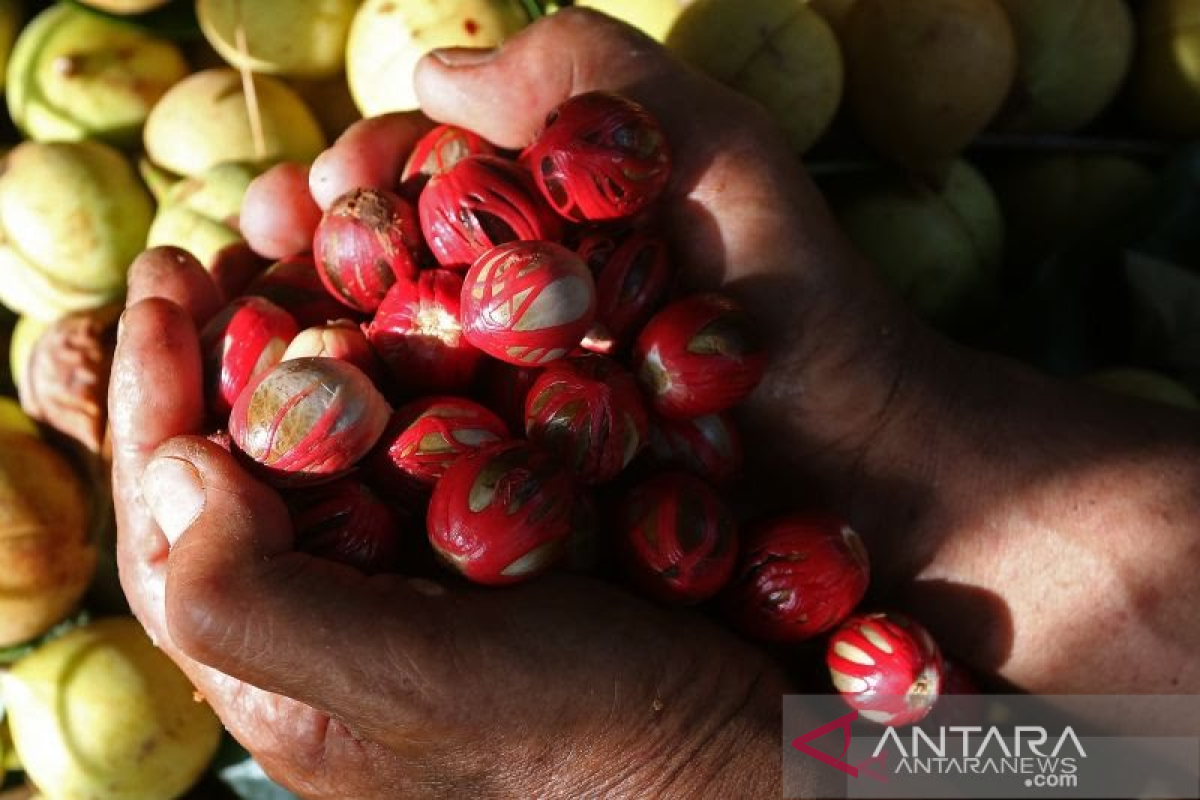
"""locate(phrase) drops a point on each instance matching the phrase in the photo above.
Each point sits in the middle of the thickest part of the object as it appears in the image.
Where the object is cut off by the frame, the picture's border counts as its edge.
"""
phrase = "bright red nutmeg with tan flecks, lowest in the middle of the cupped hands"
(503, 514)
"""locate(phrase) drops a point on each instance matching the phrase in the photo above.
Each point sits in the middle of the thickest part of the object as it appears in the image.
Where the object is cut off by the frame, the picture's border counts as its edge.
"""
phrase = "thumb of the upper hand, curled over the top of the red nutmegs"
(505, 95)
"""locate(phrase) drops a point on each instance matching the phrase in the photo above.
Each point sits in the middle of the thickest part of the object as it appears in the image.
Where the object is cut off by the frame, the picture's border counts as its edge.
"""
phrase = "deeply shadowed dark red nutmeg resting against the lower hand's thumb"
(346, 522)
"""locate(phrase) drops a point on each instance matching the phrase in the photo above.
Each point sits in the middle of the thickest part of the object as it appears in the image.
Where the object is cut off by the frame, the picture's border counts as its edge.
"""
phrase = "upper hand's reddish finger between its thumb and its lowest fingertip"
(370, 154)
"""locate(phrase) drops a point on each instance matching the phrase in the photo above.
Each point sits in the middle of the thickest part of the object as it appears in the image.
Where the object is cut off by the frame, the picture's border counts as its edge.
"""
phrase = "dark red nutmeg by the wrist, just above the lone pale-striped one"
(799, 576)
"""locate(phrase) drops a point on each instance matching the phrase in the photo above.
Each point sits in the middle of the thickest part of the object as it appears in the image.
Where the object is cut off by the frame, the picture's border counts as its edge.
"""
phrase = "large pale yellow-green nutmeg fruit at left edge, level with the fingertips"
(73, 218)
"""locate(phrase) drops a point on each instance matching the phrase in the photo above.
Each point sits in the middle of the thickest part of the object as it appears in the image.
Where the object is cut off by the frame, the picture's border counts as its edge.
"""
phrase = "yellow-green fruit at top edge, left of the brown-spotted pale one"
(277, 38)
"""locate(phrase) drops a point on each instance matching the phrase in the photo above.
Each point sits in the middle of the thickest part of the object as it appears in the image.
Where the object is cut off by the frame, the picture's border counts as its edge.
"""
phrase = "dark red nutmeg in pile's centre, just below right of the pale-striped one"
(589, 412)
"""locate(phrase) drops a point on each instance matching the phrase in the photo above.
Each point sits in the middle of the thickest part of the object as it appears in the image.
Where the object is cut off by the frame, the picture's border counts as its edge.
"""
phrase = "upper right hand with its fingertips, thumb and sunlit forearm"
(939, 456)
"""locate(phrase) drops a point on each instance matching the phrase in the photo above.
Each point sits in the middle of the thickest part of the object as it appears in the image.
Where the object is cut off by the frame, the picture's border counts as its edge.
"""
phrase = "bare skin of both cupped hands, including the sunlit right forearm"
(389, 687)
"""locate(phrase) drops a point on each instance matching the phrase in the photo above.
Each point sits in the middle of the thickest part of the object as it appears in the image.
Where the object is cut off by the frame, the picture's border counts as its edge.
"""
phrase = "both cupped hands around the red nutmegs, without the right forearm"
(353, 687)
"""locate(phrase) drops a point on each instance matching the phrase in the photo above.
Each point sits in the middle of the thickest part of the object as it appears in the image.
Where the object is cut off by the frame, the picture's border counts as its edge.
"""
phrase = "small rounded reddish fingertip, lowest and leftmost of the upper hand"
(279, 215)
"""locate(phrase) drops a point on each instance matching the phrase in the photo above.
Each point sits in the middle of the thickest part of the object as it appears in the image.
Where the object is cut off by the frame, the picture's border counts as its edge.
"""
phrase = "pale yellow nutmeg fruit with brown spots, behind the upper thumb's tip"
(388, 38)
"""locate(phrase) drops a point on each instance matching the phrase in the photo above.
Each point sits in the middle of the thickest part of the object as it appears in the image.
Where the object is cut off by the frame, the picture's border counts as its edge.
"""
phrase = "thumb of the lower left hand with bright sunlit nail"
(241, 600)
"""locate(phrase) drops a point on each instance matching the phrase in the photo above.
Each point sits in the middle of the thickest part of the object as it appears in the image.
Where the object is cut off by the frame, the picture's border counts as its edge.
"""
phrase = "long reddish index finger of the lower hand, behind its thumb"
(154, 395)
